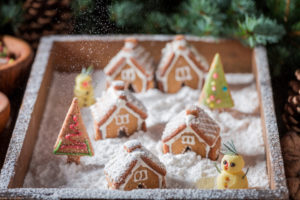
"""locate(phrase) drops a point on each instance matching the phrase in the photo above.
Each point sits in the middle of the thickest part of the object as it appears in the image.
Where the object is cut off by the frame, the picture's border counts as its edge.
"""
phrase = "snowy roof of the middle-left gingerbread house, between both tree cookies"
(114, 97)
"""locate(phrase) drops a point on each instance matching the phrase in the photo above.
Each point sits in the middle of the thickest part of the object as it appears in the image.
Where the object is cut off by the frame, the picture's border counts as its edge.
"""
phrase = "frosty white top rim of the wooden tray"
(30, 101)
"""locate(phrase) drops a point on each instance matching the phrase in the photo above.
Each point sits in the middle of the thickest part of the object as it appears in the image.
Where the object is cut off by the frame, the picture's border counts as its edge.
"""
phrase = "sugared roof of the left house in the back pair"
(133, 54)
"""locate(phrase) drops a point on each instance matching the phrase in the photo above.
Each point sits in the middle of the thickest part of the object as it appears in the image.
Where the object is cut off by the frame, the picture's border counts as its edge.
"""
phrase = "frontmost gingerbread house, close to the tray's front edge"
(134, 167)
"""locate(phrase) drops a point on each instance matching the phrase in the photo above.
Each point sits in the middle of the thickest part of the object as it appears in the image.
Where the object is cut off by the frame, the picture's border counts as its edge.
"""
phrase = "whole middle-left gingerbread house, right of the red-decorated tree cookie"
(118, 112)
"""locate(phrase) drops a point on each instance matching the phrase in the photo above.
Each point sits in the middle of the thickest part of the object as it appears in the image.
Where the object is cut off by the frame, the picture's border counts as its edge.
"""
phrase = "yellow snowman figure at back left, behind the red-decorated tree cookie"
(83, 88)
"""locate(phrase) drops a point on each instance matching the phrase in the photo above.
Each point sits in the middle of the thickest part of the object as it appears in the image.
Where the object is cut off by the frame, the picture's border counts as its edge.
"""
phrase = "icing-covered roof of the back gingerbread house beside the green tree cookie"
(179, 46)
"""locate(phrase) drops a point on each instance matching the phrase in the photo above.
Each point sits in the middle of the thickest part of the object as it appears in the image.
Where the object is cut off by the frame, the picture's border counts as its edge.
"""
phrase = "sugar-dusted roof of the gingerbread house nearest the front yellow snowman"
(195, 118)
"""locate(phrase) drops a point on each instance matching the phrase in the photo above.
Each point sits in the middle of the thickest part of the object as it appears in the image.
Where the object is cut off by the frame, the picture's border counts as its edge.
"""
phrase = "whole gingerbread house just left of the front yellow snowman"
(192, 130)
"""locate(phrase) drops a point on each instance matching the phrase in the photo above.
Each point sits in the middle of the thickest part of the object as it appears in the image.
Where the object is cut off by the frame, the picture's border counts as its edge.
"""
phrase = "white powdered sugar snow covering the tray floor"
(242, 124)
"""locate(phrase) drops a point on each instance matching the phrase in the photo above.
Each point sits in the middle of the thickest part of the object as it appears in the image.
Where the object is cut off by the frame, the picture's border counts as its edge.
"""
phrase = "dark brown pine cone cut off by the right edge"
(291, 116)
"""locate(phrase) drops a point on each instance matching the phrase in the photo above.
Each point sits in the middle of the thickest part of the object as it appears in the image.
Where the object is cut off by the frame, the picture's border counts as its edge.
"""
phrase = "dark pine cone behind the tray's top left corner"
(45, 17)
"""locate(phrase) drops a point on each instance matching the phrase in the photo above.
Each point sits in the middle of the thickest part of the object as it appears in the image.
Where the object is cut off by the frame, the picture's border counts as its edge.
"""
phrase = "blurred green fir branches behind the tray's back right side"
(274, 23)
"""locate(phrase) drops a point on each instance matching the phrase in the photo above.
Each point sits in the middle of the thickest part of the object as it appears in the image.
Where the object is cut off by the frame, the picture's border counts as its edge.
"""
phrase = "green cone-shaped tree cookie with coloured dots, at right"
(215, 93)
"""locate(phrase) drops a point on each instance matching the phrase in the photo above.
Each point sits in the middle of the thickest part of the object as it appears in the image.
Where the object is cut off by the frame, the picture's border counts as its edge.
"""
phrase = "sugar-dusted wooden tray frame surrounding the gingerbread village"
(70, 53)
